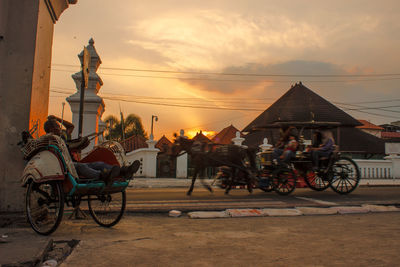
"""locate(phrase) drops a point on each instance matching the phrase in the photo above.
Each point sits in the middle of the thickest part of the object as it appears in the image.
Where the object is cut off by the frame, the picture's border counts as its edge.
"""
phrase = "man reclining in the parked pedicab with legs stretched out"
(93, 170)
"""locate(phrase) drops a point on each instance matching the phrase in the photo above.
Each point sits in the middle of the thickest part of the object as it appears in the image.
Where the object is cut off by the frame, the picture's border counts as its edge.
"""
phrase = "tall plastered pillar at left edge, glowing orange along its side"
(26, 37)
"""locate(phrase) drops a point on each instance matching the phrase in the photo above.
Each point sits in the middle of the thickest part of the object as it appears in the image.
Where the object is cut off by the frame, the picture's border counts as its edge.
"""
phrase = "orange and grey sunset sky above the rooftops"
(189, 48)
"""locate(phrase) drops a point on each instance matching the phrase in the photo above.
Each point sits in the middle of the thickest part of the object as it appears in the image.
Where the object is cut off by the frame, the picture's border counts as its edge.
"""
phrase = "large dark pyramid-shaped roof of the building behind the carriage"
(307, 111)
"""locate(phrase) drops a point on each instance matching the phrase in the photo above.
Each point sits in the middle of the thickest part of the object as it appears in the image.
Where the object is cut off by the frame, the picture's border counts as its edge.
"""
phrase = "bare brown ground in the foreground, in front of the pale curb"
(335, 240)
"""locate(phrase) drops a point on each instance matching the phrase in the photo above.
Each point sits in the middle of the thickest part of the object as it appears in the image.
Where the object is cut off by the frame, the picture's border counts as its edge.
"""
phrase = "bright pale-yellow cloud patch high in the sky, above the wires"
(212, 39)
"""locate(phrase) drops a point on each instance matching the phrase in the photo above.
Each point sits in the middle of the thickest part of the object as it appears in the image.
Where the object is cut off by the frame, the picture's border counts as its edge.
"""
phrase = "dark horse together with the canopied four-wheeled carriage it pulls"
(239, 168)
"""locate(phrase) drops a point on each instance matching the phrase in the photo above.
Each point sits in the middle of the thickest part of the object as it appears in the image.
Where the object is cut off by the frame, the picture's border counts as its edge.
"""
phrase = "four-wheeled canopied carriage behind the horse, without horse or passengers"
(336, 171)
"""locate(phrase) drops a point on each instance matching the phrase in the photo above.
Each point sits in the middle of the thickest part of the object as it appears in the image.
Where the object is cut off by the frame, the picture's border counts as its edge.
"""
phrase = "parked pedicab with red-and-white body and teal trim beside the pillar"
(51, 181)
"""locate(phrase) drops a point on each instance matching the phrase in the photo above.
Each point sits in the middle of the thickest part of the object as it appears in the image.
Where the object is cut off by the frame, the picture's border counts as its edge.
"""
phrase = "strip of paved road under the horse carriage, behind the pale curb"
(165, 199)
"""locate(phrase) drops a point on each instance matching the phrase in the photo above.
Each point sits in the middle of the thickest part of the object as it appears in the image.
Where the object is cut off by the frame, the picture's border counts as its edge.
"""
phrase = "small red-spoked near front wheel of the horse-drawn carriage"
(284, 181)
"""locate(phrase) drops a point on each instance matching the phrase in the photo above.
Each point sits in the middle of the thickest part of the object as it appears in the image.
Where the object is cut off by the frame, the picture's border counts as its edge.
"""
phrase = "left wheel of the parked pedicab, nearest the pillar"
(44, 206)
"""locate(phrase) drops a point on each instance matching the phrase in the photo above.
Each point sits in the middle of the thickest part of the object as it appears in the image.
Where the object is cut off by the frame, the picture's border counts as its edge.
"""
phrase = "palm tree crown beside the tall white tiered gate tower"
(132, 125)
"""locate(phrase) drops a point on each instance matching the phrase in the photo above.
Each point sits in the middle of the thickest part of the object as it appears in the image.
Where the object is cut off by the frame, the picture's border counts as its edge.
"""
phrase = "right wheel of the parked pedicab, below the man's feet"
(107, 209)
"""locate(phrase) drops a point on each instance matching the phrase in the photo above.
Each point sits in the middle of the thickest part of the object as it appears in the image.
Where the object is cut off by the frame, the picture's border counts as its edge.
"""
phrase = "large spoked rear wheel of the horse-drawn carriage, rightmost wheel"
(346, 176)
